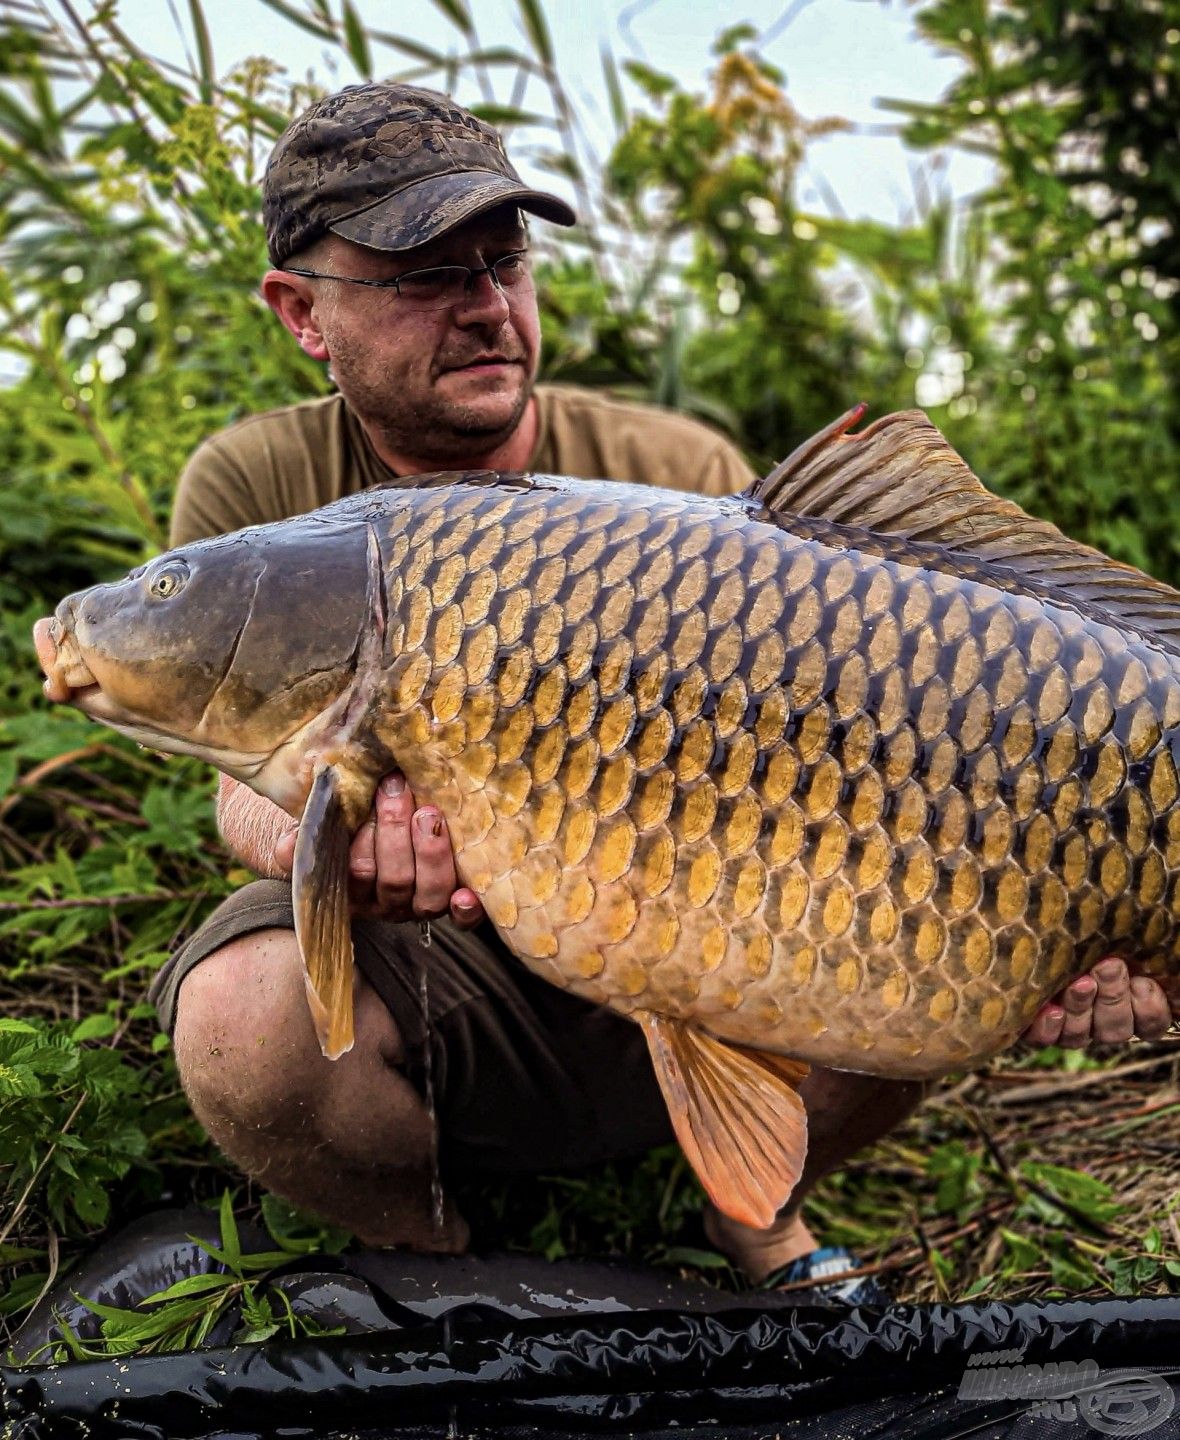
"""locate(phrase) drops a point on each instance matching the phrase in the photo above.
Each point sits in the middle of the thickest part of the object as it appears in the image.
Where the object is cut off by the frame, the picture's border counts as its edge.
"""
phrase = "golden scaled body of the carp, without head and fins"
(841, 806)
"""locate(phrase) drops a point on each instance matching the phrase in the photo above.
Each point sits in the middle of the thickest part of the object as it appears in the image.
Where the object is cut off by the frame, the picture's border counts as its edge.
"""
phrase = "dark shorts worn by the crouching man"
(525, 1078)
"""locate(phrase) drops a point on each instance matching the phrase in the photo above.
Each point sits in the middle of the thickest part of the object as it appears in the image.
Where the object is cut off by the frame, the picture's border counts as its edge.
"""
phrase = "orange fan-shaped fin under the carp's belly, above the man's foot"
(737, 1115)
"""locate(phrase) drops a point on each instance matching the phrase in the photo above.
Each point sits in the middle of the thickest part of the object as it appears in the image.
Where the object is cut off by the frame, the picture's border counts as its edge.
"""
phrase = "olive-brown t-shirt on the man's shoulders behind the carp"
(286, 463)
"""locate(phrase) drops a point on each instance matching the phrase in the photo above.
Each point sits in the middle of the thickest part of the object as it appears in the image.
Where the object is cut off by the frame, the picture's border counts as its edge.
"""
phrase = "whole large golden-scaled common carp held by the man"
(858, 768)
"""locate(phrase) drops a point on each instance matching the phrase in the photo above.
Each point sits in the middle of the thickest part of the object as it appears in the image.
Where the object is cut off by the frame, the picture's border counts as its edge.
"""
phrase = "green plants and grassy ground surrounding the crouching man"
(1040, 326)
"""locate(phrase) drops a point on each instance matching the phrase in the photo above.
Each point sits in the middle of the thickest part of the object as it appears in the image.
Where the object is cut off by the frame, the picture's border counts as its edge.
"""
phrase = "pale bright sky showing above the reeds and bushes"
(841, 58)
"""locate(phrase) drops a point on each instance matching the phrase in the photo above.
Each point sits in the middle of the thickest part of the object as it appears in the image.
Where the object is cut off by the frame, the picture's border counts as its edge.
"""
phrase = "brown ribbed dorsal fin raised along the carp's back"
(901, 477)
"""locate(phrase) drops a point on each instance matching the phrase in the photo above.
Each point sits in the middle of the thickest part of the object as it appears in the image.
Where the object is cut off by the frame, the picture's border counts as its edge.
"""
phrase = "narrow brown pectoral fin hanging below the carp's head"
(321, 885)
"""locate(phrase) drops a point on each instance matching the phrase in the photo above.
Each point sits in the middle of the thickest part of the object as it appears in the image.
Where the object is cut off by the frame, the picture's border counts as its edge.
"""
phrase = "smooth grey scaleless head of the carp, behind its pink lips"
(230, 644)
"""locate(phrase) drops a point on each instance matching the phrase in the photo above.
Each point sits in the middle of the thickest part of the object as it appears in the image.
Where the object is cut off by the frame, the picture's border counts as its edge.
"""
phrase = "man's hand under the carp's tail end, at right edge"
(1106, 1009)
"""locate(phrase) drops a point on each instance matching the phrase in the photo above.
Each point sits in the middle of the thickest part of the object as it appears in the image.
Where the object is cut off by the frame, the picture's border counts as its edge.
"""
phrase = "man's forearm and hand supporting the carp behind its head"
(401, 866)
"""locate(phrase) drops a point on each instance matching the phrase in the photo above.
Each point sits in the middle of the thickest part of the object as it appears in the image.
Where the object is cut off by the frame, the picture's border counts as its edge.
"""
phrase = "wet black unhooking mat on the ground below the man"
(508, 1349)
